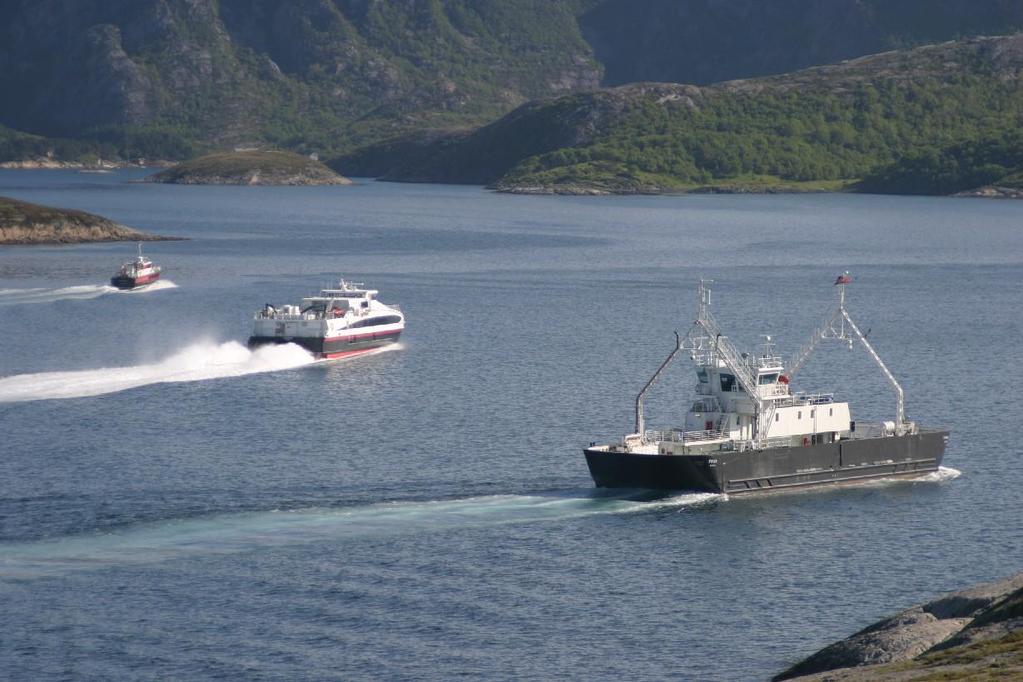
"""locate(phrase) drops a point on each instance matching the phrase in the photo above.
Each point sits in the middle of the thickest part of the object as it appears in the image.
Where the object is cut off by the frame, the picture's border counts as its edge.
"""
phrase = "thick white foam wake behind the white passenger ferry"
(196, 363)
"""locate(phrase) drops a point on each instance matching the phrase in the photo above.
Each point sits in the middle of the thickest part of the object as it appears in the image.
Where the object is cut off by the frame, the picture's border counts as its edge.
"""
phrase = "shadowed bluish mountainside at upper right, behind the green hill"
(708, 41)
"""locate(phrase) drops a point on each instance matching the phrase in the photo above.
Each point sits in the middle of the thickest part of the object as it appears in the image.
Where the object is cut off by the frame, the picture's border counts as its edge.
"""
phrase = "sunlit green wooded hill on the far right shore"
(826, 124)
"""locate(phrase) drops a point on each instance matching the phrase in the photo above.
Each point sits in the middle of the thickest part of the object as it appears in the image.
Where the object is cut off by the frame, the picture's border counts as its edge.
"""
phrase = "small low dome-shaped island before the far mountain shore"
(250, 168)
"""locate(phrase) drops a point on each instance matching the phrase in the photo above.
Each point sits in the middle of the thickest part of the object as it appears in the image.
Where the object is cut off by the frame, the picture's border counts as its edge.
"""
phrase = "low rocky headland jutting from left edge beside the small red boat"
(25, 223)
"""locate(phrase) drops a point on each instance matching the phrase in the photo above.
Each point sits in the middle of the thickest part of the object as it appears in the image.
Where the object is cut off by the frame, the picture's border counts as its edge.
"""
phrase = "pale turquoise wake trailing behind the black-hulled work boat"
(227, 534)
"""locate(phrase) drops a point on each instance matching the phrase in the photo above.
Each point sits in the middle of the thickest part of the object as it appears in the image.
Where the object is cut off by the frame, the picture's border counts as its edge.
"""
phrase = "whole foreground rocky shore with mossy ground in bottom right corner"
(974, 634)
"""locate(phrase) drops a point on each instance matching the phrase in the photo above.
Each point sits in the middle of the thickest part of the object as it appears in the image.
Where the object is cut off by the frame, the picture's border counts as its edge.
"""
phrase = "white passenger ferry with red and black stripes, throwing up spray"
(338, 324)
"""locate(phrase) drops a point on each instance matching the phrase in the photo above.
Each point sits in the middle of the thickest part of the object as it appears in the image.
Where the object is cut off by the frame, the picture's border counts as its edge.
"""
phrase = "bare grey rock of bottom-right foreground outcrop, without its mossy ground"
(963, 619)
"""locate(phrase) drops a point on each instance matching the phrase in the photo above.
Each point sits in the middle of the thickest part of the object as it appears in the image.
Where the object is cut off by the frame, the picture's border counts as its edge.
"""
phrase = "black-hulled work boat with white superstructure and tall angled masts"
(748, 432)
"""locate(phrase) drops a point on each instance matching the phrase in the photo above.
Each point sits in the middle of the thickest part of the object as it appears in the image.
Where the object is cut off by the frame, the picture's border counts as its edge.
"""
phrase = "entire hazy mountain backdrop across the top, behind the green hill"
(172, 78)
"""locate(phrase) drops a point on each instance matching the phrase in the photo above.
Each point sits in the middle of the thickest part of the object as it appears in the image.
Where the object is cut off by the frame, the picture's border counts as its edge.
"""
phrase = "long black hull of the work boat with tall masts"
(775, 469)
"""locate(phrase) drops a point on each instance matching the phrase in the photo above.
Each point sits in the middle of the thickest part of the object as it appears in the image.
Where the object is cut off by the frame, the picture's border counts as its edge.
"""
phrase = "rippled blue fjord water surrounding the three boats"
(173, 506)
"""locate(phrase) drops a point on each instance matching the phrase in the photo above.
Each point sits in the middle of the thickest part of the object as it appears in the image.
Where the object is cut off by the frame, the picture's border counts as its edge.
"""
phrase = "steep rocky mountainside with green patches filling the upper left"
(302, 74)
